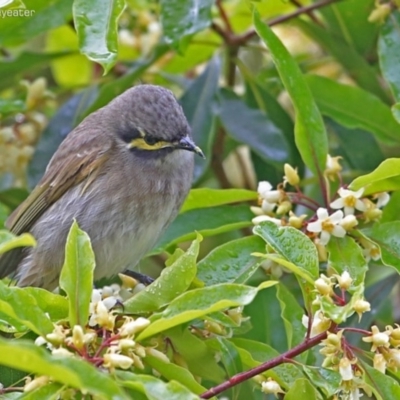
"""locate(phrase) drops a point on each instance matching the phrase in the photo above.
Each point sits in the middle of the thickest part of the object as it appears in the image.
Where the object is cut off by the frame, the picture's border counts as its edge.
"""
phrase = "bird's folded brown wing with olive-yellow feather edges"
(66, 170)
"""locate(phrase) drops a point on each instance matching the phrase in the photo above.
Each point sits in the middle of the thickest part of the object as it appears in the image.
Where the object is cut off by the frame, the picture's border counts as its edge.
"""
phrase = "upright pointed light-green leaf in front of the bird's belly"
(76, 277)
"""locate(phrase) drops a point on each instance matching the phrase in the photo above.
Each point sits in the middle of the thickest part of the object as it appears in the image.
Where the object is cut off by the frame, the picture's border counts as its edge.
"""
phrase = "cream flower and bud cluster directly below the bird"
(108, 340)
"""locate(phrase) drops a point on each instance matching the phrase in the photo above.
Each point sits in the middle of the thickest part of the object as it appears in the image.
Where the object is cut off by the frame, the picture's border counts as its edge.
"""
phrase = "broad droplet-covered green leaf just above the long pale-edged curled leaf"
(231, 262)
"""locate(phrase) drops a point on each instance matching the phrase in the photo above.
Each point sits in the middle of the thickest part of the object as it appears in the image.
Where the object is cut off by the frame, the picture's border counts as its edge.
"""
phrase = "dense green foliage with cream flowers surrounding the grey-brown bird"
(280, 274)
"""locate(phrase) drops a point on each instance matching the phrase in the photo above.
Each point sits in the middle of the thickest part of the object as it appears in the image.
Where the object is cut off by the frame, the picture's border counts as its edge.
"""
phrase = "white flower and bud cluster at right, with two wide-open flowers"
(338, 219)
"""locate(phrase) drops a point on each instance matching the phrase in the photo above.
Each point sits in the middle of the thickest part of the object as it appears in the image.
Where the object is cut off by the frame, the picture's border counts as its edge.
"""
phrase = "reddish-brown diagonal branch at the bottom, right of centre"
(243, 376)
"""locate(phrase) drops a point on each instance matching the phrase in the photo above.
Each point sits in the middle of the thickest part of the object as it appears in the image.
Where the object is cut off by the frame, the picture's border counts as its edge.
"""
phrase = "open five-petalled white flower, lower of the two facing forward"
(328, 225)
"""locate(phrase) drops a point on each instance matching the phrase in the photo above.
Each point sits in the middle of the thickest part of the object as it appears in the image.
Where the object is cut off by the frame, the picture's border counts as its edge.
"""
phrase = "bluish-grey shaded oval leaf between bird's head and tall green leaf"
(252, 127)
